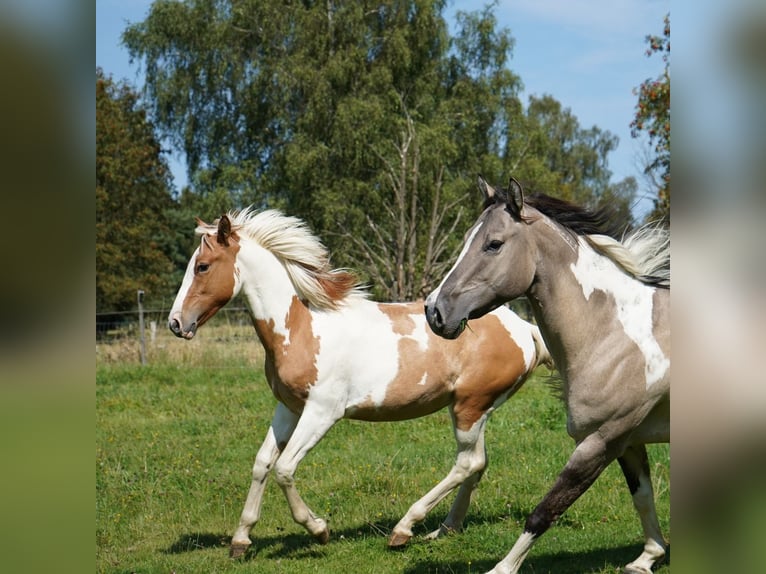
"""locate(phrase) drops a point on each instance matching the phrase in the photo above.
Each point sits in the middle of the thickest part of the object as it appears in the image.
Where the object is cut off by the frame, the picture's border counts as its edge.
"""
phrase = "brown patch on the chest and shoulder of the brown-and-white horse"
(290, 365)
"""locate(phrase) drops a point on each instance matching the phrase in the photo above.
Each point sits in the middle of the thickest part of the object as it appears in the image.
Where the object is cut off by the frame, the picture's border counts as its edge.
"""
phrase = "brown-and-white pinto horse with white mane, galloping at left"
(332, 353)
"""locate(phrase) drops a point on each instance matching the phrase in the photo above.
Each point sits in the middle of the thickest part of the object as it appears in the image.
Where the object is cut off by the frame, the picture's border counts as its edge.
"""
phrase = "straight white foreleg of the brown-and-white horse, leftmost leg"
(279, 433)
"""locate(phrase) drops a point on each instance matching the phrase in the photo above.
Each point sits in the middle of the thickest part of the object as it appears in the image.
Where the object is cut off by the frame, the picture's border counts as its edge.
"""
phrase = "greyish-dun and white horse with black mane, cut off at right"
(602, 303)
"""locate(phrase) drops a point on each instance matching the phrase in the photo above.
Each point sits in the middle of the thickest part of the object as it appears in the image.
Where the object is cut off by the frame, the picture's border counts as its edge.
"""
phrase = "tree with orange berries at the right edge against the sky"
(653, 118)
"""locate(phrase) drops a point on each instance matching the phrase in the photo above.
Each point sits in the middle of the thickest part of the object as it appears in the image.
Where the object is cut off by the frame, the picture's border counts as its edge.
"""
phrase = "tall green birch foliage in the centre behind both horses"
(367, 119)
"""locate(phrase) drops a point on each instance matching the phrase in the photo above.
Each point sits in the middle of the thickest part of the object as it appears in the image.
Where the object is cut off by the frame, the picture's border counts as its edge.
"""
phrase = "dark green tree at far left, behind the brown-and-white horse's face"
(135, 242)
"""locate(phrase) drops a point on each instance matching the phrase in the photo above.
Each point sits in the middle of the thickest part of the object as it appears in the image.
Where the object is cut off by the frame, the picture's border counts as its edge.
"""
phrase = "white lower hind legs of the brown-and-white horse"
(470, 463)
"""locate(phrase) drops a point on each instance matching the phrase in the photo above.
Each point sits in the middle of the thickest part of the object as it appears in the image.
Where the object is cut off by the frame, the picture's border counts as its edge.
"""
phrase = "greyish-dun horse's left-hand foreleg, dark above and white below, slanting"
(587, 462)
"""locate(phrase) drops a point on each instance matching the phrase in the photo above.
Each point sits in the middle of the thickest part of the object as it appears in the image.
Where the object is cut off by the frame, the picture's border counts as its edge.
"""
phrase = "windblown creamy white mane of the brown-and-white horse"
(304, 257)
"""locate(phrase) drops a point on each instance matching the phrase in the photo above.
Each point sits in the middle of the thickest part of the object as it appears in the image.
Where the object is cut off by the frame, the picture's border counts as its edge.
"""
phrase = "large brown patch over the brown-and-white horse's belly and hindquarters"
(472, 371)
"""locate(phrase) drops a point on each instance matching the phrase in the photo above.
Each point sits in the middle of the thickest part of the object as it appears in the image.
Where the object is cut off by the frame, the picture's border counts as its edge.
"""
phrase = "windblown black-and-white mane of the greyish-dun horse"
(644, 252)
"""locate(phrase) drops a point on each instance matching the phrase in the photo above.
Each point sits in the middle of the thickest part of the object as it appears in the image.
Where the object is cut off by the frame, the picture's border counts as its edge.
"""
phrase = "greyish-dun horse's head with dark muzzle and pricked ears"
(497, 264)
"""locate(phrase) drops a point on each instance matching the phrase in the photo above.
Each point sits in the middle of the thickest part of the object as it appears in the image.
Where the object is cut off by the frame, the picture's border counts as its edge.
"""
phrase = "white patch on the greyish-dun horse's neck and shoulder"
(633, 301)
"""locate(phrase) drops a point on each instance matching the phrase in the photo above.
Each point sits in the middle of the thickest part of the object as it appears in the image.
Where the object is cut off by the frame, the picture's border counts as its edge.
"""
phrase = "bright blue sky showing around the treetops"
(588, 54)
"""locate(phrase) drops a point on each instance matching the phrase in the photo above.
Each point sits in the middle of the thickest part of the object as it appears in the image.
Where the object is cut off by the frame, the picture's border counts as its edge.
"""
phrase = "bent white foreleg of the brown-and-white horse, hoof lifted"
(312, 426)
